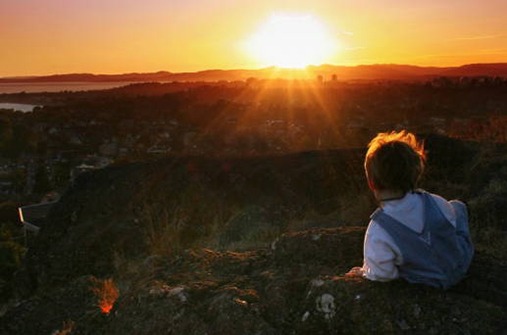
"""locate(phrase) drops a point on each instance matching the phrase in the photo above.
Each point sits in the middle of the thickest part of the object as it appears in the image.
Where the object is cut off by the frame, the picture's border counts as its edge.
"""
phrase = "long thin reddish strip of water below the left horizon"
(57, 87)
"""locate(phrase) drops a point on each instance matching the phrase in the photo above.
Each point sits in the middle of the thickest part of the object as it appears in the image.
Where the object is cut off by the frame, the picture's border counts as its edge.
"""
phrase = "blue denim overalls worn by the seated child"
(440, 254)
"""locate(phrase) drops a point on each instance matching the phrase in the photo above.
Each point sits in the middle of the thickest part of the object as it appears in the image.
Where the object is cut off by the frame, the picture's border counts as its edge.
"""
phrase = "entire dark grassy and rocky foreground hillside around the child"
(252, 245)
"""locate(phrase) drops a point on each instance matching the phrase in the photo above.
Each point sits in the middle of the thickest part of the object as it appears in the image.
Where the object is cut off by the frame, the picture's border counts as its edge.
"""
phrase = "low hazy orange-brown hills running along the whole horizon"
(360, 72)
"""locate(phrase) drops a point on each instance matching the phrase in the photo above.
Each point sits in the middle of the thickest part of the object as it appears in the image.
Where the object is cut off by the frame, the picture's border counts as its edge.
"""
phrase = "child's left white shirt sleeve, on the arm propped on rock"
(381, 255)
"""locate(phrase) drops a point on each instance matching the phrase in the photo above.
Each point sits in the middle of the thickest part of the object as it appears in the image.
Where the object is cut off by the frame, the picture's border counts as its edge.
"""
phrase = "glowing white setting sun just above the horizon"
(291, 41)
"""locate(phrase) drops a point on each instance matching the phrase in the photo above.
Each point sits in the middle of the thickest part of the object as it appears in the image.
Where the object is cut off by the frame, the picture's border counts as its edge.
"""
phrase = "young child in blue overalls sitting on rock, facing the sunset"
(413, 235)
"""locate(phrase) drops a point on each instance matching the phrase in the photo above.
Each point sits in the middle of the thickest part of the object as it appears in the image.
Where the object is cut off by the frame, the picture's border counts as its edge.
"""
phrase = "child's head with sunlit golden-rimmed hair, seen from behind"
(394, 161)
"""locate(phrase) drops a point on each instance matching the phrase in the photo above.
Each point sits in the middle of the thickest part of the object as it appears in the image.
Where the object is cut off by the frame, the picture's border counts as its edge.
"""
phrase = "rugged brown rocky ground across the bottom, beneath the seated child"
(297, 287)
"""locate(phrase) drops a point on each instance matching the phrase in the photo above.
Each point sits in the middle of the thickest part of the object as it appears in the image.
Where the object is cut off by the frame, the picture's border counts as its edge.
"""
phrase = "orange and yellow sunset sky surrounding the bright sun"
(40, 37)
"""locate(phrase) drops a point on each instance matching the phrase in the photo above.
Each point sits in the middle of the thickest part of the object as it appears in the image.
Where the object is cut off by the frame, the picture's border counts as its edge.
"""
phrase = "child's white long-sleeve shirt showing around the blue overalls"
(381, 255)
